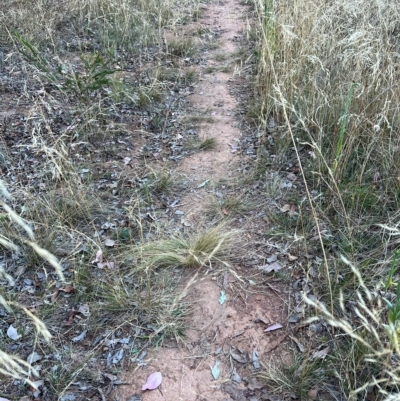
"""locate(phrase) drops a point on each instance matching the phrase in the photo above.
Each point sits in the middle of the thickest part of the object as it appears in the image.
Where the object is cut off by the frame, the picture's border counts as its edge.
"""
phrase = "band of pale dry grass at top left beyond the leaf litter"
(85, 25)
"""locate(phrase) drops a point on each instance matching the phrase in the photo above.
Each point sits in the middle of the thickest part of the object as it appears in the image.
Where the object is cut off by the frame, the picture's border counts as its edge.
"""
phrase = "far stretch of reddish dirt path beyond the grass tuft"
(212, 97)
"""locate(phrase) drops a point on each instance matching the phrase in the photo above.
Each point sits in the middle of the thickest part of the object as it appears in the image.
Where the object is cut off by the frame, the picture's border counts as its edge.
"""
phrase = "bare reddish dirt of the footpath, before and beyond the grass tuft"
(214, 331)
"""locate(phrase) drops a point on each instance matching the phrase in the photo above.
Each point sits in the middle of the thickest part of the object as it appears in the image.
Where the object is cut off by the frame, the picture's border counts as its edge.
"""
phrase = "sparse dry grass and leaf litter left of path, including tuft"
(87, 278)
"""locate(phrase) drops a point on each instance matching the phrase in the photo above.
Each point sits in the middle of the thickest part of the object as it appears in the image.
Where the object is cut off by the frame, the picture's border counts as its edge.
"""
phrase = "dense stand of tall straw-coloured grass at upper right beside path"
(335, 71)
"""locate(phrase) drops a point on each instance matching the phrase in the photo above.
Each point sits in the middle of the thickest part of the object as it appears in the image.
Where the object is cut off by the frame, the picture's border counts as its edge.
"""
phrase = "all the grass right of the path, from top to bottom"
(328, 89)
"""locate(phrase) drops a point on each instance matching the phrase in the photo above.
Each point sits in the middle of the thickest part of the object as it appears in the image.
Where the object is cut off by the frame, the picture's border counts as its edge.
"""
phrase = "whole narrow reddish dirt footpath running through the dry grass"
(225, 340)
